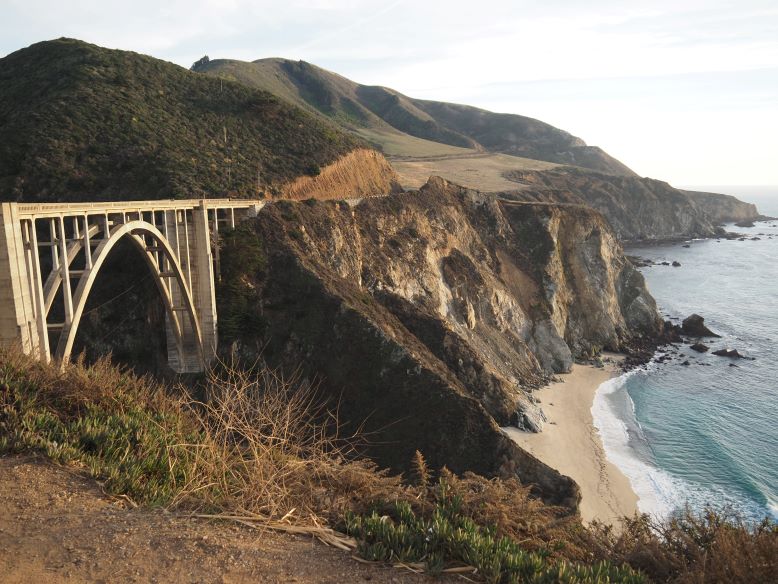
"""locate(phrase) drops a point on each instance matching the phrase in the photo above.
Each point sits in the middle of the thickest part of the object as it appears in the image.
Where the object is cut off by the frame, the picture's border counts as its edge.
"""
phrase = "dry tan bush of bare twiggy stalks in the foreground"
(271, 450)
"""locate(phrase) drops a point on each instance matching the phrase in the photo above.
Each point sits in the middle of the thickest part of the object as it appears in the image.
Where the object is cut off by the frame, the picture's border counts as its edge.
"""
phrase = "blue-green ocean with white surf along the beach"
(706, 433)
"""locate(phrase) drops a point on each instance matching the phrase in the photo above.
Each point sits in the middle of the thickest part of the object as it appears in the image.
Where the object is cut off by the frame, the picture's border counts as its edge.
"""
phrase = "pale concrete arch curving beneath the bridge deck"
(156, 253)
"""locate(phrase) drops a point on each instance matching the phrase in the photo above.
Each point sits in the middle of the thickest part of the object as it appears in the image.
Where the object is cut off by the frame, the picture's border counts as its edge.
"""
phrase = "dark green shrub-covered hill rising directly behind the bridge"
(81, 122)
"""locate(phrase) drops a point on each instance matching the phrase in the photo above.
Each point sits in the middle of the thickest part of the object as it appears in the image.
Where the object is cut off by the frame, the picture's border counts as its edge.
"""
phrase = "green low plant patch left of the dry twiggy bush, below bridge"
(121, 429)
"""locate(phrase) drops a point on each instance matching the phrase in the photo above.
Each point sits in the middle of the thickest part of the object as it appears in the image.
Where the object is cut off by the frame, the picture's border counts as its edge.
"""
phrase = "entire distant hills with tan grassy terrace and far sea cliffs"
(516, 156)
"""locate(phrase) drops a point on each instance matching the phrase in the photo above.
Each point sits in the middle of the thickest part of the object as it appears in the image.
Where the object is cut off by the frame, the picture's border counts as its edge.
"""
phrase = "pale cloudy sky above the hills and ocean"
(684, 90)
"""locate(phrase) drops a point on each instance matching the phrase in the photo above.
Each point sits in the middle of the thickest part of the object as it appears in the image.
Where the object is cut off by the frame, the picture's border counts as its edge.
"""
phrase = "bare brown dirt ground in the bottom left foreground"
(57, 526)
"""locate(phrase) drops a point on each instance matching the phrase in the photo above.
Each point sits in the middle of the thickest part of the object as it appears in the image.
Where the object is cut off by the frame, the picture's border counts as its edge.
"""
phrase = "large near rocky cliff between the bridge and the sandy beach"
(430, 316)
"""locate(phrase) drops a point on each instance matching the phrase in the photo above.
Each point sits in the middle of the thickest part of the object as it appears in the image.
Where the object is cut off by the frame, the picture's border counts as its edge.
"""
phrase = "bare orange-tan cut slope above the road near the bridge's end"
(360, 173)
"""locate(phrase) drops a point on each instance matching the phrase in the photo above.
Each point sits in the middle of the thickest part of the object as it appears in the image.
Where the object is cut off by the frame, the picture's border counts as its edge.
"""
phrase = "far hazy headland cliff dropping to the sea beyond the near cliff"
(637, 208)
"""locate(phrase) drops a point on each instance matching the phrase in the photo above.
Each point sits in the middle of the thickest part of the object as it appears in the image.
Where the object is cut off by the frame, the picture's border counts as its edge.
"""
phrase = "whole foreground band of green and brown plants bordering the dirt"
(256, 444)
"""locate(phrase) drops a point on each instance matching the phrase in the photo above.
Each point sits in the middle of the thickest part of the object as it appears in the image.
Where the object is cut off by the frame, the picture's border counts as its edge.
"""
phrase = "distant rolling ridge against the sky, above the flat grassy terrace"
(398, 123)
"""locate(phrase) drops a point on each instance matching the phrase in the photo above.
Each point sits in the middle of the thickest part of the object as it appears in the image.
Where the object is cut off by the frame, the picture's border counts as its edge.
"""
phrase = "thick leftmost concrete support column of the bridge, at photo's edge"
(18, 314)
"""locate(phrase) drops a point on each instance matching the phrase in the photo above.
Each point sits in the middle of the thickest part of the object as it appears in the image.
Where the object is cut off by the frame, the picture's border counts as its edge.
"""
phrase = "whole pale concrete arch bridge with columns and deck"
(51, 253)
